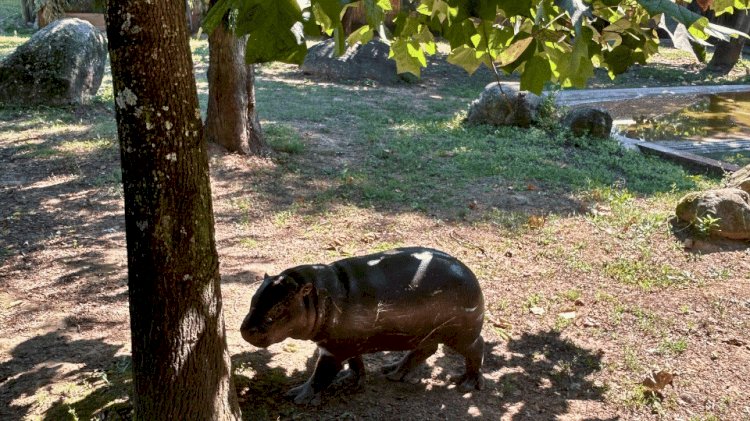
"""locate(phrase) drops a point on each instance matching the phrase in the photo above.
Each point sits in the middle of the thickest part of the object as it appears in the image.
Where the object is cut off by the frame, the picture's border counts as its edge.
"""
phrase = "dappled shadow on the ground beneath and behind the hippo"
(534, 377)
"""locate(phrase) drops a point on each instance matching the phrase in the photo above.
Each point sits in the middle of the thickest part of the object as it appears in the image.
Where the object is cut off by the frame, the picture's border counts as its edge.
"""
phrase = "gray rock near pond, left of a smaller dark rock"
(504, 105)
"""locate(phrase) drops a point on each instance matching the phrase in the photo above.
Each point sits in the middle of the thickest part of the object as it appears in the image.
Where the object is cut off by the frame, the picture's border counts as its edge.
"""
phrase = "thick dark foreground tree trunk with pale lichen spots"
(181, 366)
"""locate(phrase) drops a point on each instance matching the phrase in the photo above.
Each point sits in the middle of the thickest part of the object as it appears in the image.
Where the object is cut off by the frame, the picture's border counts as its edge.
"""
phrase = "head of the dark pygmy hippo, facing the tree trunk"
(278, 310)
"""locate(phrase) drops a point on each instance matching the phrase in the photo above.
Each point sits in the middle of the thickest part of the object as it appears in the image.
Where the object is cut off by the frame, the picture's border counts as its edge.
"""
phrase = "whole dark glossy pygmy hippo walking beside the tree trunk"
(403, 299)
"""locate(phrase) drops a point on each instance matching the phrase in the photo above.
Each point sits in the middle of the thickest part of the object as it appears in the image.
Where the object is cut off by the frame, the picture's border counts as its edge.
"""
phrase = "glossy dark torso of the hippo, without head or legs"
(405, 295)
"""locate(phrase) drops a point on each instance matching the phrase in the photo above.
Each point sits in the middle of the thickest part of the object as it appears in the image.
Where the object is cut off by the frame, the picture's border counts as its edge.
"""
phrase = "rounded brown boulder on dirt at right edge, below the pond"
(731, 206)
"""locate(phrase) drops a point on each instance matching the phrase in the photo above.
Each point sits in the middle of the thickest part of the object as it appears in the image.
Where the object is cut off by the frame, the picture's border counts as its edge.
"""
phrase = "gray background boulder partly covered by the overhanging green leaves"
(368, 61)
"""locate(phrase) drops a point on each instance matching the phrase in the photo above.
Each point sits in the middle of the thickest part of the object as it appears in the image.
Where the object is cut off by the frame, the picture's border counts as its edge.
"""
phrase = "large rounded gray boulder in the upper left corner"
(61, 64)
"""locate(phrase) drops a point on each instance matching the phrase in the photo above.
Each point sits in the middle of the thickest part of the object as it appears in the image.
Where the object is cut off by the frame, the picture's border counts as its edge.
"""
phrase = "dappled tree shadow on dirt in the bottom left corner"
(52, 366)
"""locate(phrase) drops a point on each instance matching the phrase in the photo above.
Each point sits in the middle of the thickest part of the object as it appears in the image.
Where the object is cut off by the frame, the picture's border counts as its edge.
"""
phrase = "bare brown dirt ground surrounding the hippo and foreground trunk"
(569, 337)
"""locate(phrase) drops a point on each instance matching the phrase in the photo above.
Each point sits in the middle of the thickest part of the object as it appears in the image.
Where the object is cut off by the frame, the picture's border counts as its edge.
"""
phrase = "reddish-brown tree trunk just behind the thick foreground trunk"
(232, 120)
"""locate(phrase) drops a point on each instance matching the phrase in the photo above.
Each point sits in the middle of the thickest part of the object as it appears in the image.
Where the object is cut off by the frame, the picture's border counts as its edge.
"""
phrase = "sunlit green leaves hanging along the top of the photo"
(558, 41)
